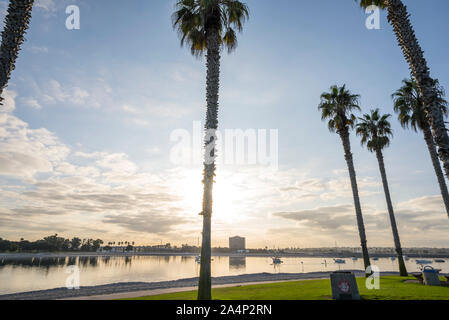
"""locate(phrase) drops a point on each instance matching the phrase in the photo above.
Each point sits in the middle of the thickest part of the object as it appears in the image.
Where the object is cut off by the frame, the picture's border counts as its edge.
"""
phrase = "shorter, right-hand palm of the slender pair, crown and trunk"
(375, 131)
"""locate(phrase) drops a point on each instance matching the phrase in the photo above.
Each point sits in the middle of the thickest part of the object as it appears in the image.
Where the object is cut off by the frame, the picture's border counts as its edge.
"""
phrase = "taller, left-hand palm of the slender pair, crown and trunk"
(337, 106)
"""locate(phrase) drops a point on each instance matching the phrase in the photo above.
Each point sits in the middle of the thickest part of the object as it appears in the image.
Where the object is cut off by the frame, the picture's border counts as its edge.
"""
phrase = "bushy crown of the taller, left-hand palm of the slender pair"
(337, 107)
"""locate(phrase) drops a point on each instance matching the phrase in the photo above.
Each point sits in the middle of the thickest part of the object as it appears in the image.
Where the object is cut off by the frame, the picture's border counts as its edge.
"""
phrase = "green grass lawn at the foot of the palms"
(391, 288)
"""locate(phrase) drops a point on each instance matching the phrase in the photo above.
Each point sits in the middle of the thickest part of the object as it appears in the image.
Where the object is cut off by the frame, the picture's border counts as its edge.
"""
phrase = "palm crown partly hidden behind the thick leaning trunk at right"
(409, 105)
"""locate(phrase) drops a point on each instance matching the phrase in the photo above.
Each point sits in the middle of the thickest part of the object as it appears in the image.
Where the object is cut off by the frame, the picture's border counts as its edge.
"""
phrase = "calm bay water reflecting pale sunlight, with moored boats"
(46, 273)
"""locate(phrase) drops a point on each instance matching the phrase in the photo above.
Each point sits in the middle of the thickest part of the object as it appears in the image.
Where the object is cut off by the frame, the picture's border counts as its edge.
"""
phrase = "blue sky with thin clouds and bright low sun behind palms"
(87, 130)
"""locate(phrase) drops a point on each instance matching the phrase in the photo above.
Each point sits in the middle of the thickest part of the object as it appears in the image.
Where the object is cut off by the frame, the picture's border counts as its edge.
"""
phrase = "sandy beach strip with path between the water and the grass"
(145, 288)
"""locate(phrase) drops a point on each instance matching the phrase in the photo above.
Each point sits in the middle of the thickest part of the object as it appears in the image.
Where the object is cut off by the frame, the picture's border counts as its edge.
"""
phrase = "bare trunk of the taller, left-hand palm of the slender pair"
(355, 192)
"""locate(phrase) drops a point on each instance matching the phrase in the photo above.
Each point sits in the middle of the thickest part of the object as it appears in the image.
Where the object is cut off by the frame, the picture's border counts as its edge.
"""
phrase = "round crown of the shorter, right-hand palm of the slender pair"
(375, 130)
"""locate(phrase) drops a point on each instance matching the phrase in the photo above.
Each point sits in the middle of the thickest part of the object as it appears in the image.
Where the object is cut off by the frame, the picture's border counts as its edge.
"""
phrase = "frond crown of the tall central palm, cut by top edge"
(194, 18)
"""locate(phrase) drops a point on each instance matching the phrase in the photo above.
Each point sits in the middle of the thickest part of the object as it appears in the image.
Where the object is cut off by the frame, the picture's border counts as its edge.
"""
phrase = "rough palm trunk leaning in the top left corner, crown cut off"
(16, 23)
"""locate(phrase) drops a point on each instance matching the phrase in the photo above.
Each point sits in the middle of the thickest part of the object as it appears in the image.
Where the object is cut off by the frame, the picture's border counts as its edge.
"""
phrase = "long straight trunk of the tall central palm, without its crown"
(212, 88)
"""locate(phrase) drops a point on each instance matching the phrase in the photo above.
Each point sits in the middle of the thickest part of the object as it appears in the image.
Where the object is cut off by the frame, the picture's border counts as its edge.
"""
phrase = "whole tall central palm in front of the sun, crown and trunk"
(208, 26)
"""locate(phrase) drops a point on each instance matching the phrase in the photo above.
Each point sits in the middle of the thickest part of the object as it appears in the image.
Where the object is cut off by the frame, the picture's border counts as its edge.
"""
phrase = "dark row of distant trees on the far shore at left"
(51, 244)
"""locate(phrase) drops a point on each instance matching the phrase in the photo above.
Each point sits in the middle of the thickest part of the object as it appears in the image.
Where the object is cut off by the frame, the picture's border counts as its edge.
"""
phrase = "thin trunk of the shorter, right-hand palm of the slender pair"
(394, 227)
